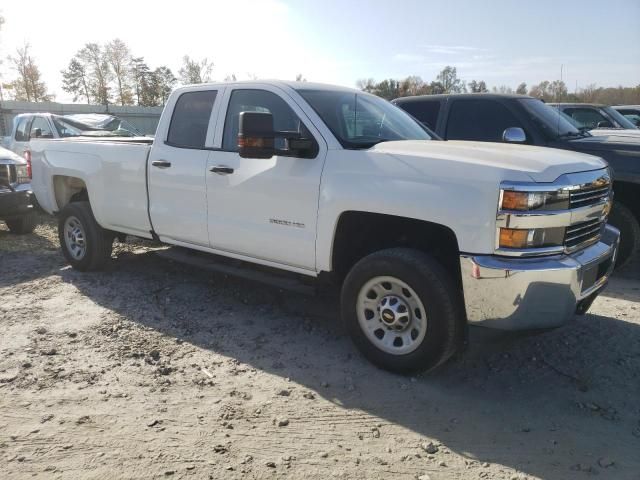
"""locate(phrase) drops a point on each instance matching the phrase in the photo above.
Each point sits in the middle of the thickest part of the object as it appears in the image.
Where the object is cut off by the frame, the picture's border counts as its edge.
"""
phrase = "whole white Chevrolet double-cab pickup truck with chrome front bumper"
(425, 237)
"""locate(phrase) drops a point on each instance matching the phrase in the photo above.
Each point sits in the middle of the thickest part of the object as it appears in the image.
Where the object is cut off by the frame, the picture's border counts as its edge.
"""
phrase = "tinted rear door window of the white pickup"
(190, 120)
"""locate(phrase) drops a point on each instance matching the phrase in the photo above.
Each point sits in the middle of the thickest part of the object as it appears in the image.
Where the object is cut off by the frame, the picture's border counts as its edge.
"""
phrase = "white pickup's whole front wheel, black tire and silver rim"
(403, 310)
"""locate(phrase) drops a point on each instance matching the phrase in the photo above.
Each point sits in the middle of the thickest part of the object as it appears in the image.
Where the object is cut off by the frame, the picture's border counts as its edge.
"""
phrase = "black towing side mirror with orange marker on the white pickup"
(256, 135)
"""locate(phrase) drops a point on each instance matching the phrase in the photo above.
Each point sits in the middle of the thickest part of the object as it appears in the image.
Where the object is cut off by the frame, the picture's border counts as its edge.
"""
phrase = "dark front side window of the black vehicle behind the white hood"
(479, 119)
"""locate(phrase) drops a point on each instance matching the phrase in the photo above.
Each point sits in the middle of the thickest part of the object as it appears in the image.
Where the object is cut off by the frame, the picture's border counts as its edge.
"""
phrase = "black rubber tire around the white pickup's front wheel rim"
(441, 298)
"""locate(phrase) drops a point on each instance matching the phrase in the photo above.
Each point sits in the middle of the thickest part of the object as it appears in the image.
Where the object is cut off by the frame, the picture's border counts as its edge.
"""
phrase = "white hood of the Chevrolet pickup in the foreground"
(537, 163)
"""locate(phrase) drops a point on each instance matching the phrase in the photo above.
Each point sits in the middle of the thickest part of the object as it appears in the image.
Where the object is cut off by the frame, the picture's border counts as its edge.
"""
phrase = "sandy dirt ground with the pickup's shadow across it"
(155, 370)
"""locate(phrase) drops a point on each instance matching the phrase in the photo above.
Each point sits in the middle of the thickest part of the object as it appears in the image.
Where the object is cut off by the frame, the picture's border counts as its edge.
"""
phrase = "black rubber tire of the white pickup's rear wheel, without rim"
(98, 241)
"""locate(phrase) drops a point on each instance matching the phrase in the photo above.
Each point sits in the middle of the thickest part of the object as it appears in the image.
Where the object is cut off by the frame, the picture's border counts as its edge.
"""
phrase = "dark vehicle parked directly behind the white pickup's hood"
(526, 120)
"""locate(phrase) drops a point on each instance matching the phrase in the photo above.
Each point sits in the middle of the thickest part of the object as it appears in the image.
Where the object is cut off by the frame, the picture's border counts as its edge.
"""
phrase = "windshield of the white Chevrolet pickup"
(361, 121)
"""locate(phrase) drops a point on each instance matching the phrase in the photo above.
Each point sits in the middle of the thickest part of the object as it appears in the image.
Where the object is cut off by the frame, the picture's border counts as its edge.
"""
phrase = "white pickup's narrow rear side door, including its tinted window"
(177, 166)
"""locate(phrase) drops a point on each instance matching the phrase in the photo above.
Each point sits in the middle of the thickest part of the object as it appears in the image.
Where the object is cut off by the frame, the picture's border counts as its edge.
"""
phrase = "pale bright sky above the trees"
(502, 42)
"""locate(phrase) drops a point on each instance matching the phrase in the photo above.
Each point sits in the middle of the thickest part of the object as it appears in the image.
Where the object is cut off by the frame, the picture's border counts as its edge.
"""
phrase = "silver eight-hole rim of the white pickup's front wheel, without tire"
(391, 315)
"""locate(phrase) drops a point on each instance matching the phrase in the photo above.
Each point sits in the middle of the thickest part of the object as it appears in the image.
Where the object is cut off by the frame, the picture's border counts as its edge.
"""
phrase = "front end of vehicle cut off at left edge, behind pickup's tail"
(16, 198)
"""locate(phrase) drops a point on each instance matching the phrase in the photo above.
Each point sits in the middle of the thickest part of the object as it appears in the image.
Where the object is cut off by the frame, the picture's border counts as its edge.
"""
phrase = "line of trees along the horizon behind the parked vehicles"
(110, 74)
